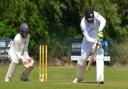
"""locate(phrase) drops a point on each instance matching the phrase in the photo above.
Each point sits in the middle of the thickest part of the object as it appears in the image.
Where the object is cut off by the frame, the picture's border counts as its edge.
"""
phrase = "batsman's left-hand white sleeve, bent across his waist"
(85, 32)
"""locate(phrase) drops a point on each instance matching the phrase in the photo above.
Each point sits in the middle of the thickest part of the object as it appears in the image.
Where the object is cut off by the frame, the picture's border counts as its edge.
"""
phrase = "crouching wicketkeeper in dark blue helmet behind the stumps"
(19, 51)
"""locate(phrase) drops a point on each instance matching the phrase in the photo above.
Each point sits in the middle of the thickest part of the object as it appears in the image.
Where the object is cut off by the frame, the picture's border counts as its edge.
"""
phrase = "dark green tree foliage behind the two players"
(52, 20)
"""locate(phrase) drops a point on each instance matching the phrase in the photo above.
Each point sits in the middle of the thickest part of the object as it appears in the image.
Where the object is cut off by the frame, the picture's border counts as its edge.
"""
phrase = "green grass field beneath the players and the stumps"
(61, 78)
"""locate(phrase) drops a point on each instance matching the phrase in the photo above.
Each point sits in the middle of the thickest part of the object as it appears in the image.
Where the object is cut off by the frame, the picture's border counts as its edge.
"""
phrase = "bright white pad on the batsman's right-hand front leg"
(100, 65)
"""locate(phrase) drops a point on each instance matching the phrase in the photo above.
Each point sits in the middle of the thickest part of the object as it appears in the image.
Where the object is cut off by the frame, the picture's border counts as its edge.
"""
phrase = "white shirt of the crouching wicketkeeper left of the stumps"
(19, 48)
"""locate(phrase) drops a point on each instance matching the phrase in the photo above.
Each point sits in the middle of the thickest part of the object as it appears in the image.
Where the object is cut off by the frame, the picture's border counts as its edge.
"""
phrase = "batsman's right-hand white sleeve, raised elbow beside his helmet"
(101, 19)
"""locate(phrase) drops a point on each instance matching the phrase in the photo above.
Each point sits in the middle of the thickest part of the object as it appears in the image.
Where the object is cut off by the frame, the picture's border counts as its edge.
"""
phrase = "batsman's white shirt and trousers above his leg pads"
(90, 33)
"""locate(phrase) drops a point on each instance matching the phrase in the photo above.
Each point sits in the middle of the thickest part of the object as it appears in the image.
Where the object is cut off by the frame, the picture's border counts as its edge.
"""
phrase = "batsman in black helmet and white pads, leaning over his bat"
(92, 25)
